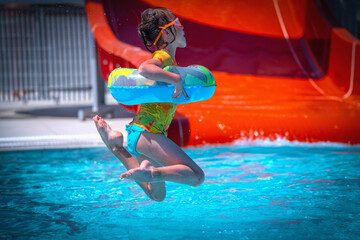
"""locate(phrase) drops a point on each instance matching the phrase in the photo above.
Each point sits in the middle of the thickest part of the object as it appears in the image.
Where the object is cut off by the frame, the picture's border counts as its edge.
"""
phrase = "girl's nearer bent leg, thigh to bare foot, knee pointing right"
(177, 165)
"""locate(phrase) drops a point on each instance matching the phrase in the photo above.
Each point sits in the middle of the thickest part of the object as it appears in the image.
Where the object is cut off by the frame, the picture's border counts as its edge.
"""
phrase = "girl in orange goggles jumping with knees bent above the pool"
(160, 159)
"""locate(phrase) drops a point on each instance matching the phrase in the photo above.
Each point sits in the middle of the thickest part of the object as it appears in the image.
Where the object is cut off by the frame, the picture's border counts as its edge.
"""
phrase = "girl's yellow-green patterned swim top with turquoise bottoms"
(152, 117)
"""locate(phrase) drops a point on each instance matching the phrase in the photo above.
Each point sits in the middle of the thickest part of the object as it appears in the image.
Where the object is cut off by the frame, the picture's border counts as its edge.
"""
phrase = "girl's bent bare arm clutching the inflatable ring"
(153, 70)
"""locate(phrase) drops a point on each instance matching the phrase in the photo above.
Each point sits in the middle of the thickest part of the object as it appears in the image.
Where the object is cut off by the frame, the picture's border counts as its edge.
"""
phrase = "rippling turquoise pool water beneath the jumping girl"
(250, 192)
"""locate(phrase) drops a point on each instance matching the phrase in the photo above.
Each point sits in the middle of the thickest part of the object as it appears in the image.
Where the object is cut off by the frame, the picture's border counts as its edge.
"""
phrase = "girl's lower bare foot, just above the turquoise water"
(145, 173)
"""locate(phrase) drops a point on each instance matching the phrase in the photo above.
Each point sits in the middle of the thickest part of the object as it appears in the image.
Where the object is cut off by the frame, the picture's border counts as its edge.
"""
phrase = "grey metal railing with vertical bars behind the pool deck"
(46, 53)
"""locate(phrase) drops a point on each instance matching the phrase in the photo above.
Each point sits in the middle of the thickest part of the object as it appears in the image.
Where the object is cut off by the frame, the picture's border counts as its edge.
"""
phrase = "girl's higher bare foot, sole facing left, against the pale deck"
(111, 138)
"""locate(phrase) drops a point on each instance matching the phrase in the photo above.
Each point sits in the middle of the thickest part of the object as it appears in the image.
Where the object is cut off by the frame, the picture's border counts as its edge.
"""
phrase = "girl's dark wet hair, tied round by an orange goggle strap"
(151, 20)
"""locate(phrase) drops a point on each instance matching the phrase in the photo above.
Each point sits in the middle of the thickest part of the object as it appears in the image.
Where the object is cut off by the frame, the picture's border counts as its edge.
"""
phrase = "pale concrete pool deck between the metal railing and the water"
(43, 125)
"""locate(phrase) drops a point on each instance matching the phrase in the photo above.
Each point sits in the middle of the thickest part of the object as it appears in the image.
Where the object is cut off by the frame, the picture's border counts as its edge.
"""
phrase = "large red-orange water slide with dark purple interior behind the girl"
(284, 68)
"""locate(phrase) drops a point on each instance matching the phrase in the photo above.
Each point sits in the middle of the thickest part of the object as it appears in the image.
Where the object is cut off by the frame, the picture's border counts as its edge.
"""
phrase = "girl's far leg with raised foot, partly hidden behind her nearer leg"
(114, 141)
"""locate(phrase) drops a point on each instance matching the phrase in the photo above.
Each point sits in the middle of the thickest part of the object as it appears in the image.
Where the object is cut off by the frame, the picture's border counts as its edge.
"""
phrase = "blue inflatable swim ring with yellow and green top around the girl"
(128, 87)
